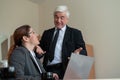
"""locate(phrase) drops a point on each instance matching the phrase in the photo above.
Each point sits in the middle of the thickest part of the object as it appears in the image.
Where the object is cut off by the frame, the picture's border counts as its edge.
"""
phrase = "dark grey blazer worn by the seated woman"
(25, 66)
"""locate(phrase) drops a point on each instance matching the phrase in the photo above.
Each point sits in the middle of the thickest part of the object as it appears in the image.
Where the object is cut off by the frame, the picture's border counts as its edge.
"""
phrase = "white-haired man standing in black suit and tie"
(59, 42)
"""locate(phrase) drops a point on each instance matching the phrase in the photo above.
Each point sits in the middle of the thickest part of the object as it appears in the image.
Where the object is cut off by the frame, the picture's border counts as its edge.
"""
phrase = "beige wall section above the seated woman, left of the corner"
(14, 13)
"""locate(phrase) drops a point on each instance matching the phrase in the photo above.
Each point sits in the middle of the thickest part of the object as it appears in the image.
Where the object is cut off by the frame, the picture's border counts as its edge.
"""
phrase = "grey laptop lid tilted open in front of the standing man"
(79, 67)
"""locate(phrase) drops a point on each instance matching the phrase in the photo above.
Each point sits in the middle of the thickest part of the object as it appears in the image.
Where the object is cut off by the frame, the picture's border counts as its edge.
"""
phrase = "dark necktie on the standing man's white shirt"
(53, 44)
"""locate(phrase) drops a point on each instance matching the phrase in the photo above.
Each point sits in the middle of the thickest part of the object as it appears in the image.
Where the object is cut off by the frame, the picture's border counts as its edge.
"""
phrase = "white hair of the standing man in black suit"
(62, 8)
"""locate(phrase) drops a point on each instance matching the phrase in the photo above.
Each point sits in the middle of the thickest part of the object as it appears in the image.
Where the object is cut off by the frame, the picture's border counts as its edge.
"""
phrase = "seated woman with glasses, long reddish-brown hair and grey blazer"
(21, 55)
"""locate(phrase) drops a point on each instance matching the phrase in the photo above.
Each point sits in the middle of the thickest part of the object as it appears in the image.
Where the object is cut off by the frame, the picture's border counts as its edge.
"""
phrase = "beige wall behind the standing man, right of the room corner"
(99, 21)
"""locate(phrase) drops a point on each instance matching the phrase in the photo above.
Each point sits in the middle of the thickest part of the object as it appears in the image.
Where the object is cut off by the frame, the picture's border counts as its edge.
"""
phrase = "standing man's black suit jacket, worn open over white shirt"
(72, 40)
